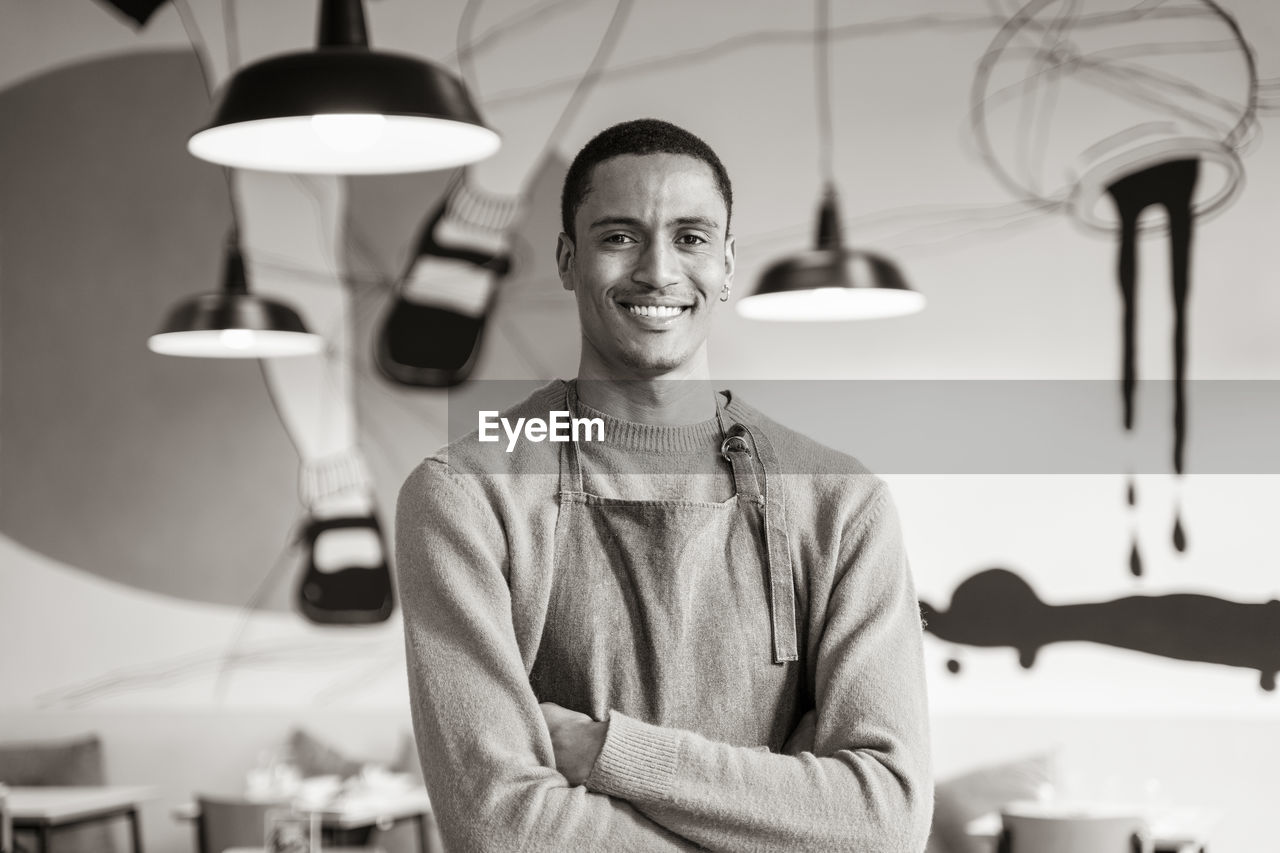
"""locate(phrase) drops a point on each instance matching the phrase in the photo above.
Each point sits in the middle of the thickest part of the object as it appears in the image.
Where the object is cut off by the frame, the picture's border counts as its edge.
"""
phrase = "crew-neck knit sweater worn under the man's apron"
(476, 532)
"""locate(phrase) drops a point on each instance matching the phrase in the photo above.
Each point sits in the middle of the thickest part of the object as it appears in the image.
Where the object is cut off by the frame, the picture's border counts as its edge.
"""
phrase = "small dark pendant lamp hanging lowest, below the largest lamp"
(234, 323)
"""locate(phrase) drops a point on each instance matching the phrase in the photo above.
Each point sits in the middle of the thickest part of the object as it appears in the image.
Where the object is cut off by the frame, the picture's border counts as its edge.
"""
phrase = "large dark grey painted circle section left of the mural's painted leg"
(167, 475)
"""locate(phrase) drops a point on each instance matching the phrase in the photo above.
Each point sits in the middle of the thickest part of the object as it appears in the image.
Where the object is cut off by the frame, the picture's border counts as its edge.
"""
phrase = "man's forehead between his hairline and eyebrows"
(637, 184)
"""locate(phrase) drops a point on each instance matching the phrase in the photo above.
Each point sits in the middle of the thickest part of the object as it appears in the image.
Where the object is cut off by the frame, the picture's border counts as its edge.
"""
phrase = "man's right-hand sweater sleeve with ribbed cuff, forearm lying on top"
(861, 778)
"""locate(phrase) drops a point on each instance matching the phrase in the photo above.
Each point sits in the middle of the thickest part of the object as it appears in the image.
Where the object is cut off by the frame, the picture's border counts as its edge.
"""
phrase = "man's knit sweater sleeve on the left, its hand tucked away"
(487, 755)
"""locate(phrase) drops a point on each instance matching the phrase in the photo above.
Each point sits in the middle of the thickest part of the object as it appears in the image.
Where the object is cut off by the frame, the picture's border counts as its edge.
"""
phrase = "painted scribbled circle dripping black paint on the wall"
(1163, 88)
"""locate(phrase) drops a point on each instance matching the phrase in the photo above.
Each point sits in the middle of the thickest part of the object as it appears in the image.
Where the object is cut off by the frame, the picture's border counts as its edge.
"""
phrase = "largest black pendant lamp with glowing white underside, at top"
(345, 110)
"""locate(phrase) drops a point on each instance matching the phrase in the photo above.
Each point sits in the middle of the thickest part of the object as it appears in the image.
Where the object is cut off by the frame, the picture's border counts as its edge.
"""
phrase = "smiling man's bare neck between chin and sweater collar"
(674, 399)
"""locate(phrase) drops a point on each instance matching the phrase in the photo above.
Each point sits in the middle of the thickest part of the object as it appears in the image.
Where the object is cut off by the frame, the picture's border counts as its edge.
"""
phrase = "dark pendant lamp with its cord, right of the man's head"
(830, 282)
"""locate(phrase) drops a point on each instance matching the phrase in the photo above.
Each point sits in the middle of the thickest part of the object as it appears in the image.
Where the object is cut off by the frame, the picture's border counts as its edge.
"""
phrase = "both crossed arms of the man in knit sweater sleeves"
(858, 779)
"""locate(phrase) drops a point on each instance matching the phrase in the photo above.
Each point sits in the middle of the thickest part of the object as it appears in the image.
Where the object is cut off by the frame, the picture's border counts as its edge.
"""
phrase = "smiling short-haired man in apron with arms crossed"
(680, 637)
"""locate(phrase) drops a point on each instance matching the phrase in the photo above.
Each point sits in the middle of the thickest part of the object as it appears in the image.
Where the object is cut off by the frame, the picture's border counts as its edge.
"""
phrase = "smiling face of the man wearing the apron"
(651, 257)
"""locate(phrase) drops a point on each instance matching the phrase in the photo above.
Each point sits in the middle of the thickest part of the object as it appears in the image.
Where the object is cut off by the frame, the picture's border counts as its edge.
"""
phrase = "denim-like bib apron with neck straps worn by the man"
(676, 613)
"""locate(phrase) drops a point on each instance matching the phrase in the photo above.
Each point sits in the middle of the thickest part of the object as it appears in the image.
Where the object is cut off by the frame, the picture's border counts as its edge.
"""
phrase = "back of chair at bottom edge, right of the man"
(1075, 834)
